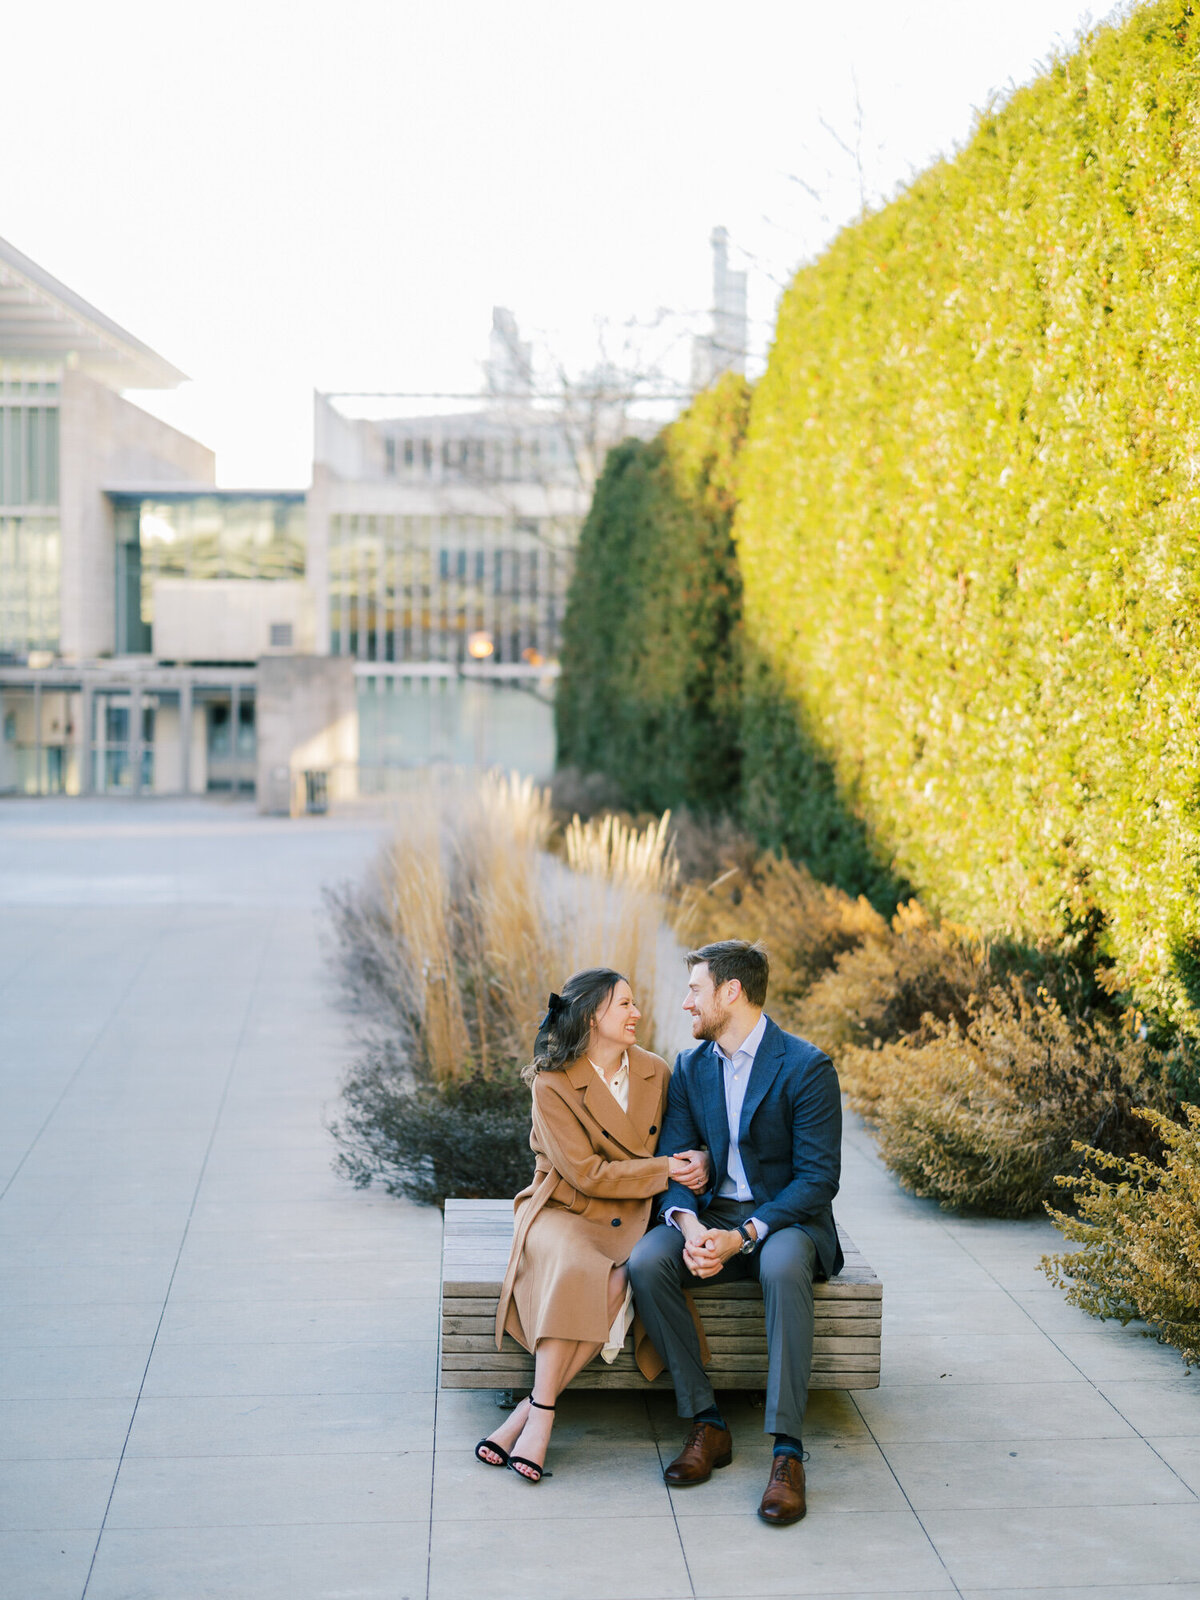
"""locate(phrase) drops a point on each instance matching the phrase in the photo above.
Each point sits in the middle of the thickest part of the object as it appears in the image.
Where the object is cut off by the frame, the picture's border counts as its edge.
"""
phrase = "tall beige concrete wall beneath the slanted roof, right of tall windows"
(108, 442)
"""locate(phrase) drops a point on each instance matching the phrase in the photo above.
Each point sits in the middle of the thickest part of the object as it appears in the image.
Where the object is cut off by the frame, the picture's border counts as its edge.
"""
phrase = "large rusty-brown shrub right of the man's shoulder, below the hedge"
(983, 1116)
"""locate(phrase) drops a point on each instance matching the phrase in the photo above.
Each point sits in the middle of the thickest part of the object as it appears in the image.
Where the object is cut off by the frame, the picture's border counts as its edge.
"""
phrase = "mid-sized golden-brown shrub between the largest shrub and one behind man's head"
(898, 983)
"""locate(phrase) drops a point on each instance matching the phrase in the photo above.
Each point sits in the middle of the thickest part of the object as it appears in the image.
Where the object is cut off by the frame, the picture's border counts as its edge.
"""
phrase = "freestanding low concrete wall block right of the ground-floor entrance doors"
(306, 714)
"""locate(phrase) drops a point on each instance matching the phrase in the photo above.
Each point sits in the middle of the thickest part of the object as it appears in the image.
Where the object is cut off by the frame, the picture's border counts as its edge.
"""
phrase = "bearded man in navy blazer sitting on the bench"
(767, 1106)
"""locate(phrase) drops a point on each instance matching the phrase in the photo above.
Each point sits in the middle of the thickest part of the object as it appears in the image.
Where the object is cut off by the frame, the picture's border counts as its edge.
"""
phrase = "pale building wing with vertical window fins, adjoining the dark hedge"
(444, 546)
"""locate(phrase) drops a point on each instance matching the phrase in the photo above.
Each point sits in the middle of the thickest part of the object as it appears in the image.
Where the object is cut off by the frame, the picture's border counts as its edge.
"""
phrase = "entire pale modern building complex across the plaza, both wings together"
(162, 636)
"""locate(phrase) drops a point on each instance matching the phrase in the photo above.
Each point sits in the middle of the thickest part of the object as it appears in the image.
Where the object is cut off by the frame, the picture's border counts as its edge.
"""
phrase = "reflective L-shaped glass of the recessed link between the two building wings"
(218, 535)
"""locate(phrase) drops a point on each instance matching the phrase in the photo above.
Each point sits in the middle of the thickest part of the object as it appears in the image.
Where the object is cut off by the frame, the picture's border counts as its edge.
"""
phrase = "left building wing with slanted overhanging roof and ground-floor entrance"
(137, 599)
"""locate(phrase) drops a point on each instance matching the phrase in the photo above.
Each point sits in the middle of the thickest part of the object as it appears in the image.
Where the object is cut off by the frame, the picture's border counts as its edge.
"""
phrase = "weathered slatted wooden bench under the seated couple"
(476, 1252)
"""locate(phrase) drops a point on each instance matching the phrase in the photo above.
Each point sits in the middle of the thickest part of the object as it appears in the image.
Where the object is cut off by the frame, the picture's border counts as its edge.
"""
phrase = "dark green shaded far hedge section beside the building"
(650, 686)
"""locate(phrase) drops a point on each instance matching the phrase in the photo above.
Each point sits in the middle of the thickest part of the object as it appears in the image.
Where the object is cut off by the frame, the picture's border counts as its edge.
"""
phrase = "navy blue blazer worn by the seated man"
(790, 1135)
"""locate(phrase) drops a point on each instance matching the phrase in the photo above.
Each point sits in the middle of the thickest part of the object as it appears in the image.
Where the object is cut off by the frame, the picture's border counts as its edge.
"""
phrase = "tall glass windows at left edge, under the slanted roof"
(30, 527)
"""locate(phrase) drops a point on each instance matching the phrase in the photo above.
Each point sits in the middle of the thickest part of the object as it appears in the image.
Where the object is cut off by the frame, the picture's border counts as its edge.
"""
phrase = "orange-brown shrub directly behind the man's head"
(806, 926)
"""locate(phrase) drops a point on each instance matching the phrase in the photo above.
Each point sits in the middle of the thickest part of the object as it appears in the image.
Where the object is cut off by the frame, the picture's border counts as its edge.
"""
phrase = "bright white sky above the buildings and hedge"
(292, 196)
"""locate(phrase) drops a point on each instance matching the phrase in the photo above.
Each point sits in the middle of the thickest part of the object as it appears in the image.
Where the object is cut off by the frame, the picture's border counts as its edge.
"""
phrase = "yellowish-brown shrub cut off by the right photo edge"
(1140, 1230)
